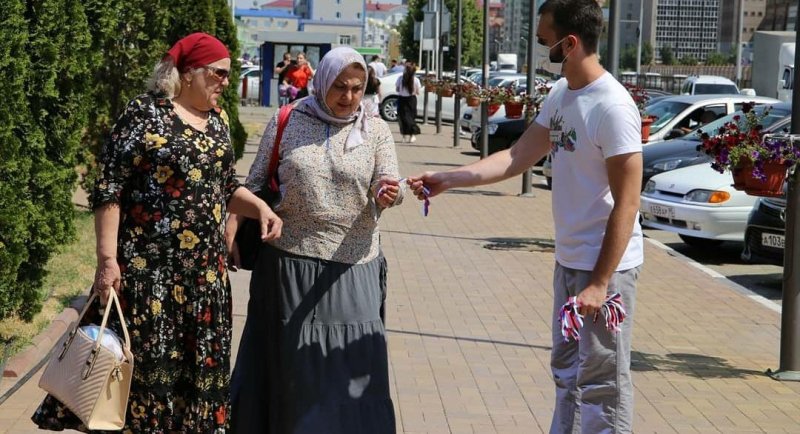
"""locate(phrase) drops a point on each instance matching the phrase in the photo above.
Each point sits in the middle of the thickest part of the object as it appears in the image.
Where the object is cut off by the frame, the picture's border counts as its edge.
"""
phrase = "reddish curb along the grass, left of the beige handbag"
(23, 365)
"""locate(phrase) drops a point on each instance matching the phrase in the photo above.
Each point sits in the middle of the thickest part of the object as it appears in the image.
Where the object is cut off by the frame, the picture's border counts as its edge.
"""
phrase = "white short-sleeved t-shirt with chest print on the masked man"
(588, 126)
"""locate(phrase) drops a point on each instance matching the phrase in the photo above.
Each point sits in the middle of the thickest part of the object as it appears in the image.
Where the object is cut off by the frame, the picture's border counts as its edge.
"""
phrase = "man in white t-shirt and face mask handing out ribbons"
(592, 128)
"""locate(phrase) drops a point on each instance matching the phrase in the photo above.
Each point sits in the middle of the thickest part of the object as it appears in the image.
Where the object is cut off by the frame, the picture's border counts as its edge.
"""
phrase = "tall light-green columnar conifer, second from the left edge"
(58, 49)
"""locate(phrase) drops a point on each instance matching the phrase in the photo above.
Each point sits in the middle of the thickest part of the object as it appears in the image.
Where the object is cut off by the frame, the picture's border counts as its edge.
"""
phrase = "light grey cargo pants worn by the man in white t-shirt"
(594, 390)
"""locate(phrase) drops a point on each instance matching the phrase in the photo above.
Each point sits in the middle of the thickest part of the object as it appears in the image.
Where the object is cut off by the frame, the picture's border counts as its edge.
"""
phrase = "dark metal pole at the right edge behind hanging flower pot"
(789, 369)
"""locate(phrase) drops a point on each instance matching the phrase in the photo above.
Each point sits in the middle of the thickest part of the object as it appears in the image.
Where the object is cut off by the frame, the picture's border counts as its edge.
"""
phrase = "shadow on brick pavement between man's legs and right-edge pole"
(692, 365)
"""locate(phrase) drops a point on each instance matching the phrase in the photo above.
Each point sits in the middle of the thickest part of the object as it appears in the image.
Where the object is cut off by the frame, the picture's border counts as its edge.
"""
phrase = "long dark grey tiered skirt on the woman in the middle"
(313, 356)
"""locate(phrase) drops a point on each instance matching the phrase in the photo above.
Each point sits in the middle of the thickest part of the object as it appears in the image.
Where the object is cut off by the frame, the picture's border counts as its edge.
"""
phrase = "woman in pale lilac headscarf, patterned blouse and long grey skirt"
(313, 354)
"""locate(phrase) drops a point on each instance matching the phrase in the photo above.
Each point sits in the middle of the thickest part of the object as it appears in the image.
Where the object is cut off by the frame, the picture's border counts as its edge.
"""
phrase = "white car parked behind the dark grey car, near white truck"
(679, 114)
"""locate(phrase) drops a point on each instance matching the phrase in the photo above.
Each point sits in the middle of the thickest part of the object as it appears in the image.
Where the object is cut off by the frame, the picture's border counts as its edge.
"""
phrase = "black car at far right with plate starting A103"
(765, 236)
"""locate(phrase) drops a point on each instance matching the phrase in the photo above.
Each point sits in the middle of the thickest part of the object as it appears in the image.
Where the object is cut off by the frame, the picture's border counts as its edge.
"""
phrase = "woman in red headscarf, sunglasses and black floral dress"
(166, 182)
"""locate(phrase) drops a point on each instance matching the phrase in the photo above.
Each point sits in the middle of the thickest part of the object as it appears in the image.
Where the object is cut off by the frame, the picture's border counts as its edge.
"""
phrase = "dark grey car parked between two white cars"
(682, 151)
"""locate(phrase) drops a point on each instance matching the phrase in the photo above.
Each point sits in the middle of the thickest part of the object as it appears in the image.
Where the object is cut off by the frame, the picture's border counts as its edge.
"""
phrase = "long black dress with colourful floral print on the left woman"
(172, 183)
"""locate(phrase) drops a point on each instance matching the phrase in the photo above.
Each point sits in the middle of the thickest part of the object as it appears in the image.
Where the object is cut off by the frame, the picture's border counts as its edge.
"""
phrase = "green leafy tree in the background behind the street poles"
(471, 34)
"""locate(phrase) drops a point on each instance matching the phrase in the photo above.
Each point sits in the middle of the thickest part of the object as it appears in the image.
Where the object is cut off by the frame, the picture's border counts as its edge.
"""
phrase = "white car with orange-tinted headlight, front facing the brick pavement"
(698, 203)
